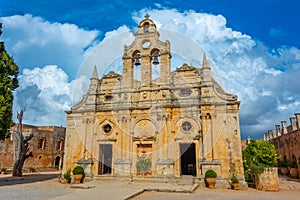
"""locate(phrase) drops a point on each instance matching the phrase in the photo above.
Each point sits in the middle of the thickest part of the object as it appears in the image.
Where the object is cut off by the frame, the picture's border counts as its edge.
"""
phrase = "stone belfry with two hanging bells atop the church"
(146, 51)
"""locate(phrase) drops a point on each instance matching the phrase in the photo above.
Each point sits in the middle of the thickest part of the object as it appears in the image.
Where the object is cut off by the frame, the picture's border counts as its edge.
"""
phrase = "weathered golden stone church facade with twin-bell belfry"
(181, 123)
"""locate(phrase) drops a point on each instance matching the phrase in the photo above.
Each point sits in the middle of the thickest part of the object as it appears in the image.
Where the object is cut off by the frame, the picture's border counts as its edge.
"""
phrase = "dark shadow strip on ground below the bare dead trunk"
(27, 178)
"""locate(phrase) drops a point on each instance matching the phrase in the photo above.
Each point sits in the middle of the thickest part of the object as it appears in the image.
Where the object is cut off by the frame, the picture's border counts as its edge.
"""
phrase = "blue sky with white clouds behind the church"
(253, 47)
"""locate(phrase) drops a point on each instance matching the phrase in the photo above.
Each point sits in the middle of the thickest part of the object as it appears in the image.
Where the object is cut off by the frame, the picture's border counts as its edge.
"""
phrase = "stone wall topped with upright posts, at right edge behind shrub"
(286, 139)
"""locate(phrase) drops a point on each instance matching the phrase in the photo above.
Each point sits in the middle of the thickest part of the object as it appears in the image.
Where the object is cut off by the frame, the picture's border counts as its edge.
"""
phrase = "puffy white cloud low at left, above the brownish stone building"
(46, 93)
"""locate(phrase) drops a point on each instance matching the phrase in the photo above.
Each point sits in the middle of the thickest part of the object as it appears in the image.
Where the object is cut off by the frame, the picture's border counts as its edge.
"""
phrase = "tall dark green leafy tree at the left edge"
(8, 83)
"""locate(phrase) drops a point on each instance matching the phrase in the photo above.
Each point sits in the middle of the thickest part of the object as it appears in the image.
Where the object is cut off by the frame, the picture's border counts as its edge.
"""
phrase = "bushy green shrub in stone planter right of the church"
(257, 156)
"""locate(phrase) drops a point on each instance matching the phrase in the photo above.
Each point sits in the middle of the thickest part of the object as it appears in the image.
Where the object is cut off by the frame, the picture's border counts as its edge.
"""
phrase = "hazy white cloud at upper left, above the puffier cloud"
(35, 42)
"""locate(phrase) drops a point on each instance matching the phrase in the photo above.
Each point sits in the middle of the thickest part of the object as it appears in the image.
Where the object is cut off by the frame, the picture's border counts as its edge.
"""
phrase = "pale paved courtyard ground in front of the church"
(42, 186)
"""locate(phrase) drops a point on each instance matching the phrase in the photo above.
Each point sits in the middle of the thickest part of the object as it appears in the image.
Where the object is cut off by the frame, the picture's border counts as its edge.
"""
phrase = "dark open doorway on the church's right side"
(188, 159)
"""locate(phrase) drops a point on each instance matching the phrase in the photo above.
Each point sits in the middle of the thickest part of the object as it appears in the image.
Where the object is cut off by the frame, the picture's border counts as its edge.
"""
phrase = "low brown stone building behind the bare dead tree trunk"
(47, 146)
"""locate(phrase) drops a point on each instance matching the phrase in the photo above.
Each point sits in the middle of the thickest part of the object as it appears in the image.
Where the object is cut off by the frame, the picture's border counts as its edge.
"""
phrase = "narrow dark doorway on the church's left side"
(105, 159)
